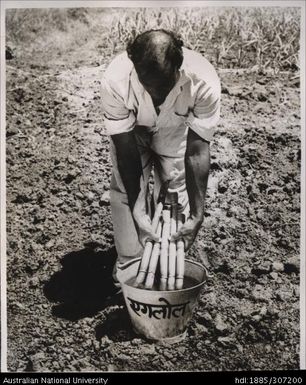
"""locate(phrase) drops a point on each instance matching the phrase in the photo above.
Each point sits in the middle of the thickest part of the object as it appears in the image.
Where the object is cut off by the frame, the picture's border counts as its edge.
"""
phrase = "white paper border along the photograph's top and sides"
(6, 4)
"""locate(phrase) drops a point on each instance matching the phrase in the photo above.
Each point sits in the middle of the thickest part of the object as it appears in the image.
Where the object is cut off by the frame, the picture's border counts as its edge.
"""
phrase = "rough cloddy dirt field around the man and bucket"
(61, 315)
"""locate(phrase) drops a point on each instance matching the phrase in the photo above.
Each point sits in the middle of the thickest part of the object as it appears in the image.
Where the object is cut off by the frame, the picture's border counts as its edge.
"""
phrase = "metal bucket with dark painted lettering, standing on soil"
(161, 315)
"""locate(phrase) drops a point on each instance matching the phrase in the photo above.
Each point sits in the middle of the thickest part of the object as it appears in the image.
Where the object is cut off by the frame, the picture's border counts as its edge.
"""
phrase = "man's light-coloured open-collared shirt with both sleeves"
(194, 100)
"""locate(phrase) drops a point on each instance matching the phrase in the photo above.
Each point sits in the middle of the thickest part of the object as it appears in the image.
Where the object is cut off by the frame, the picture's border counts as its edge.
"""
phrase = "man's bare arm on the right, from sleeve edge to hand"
(197, 165)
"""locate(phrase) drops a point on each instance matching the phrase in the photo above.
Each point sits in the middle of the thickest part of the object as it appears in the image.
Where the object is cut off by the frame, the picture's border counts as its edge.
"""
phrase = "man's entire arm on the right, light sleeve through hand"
(202, 122)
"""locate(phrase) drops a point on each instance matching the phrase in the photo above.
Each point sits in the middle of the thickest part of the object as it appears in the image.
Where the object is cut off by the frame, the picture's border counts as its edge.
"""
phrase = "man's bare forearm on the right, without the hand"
(197, 164)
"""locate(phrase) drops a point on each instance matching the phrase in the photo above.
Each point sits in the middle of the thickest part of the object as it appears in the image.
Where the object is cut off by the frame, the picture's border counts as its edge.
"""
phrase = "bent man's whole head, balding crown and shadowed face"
(157, 56)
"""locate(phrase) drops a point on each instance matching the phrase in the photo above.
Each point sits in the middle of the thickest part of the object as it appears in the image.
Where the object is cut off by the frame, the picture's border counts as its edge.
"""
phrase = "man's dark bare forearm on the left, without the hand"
(129, 164)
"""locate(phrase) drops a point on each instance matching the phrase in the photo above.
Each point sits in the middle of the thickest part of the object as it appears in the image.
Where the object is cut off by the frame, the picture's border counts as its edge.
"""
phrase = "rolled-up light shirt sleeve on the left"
(117, 118)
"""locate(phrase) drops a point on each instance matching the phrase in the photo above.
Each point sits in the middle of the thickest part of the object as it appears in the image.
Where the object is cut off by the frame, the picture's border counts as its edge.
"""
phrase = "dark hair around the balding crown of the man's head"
(146, 53)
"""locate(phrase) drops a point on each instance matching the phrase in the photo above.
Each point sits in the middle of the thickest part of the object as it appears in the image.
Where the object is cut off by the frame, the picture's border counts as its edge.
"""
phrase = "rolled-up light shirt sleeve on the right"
(205, 115)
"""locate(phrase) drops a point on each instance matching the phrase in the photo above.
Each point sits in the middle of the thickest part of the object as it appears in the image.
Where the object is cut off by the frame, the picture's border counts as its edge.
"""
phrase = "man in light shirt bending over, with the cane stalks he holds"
(161, 104)
